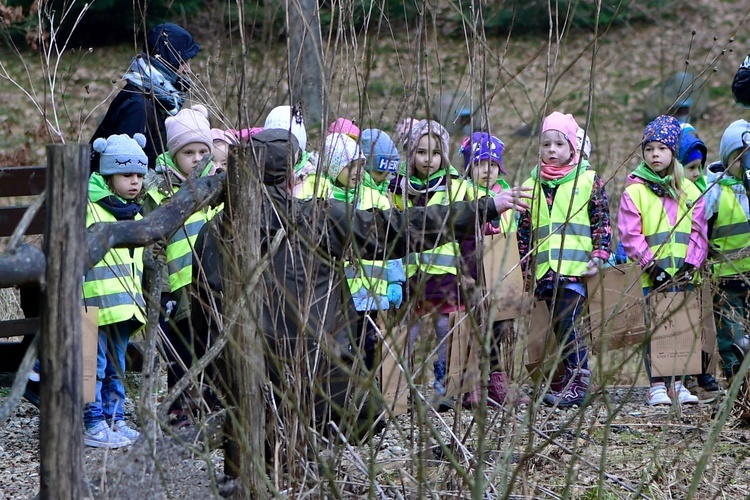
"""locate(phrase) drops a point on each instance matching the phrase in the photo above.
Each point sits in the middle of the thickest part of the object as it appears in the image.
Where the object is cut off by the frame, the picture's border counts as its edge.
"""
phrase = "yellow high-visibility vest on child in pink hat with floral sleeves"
(562, 237)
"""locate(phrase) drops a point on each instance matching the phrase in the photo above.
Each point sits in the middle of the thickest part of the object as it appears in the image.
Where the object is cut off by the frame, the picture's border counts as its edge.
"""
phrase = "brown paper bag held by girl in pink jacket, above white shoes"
(675, 322)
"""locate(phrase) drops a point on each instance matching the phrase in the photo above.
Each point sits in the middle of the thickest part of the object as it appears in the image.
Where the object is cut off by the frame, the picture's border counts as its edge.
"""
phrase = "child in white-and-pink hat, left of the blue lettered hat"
(374, 284)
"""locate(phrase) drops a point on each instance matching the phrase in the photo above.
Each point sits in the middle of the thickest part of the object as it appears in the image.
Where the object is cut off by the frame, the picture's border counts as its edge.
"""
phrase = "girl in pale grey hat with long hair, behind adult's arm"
(435, 276)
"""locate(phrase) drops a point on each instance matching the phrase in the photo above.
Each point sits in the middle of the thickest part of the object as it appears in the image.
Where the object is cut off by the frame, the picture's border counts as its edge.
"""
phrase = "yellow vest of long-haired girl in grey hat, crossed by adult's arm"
(446, 258)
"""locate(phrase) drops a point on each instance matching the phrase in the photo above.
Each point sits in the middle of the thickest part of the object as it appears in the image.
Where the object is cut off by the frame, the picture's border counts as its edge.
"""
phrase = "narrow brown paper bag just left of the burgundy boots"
(463, 370)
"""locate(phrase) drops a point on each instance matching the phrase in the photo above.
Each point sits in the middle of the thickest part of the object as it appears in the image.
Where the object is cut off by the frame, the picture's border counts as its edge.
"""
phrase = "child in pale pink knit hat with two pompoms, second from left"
(189, 139)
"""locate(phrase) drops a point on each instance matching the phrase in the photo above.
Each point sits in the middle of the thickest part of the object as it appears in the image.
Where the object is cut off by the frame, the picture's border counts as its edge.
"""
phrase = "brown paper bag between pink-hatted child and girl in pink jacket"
(616, 309)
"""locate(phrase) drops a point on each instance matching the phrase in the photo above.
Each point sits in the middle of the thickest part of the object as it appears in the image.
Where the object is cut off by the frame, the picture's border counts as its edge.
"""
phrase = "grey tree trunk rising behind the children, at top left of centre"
(306, 59)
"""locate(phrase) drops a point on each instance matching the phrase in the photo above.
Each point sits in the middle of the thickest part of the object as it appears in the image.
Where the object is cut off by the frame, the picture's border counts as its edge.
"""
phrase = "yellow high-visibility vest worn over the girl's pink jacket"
(668, 243)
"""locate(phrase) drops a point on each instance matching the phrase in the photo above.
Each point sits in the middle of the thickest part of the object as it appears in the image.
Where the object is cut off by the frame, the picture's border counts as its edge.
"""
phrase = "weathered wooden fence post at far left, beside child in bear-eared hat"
(61, 419)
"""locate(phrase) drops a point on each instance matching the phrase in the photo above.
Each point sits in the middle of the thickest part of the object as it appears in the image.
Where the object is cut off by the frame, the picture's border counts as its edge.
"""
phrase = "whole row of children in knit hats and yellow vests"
(671, 218)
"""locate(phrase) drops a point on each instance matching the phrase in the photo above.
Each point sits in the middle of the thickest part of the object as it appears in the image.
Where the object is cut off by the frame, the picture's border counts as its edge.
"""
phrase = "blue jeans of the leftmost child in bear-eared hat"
(110, 367)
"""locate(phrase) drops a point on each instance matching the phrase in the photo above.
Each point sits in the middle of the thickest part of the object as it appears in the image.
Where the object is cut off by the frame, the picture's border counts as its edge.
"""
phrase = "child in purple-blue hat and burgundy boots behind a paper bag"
(483, 162)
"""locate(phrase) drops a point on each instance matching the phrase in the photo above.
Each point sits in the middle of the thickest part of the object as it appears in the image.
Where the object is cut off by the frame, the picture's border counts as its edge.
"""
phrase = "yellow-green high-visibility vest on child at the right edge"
(730, 235)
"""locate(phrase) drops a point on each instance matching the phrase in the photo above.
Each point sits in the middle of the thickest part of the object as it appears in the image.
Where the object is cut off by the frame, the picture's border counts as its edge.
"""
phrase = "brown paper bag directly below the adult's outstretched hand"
(502, 276)
